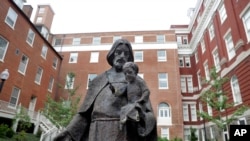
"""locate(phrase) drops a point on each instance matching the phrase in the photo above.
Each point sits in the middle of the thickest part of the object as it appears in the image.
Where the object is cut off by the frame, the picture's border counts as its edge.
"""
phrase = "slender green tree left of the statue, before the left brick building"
(61, 112)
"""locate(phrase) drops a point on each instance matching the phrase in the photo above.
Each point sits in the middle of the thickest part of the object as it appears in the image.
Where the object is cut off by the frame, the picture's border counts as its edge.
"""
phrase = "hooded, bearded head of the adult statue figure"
(120, 53)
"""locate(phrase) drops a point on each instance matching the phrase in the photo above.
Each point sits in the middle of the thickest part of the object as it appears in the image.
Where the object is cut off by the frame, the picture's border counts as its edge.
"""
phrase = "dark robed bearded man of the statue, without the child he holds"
(98, 118)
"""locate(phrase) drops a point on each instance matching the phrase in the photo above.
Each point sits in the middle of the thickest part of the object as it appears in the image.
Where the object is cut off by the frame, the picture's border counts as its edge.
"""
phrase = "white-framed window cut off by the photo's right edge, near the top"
(246, 22)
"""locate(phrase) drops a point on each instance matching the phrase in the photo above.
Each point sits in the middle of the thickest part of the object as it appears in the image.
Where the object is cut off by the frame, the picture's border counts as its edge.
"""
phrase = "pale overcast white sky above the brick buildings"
(77, 16)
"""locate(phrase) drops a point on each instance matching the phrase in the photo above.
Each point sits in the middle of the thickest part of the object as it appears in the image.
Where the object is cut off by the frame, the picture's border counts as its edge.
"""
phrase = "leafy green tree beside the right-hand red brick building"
(217, 99)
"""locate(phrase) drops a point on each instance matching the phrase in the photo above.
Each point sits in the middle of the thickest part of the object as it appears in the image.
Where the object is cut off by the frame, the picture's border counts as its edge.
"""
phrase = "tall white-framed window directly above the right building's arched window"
(230, 46)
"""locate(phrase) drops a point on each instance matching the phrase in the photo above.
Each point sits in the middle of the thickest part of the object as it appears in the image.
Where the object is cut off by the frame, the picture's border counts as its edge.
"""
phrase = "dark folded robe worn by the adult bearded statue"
(98, 118)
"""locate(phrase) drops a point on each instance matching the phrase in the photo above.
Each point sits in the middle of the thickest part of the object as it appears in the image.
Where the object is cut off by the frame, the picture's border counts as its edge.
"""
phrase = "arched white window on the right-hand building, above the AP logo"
(236, 90)
